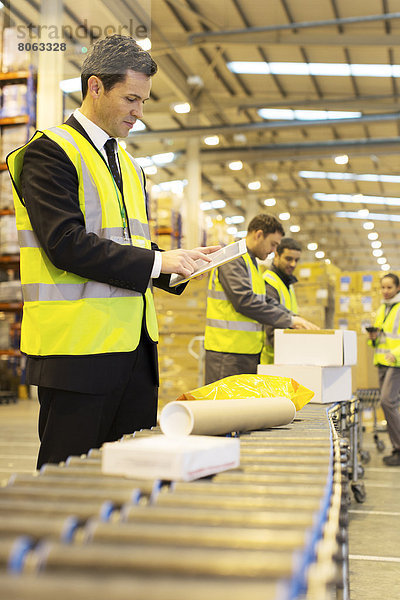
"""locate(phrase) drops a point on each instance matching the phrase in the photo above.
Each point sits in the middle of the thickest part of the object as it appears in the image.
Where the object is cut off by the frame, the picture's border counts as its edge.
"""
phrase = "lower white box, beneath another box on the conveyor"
(329, 384)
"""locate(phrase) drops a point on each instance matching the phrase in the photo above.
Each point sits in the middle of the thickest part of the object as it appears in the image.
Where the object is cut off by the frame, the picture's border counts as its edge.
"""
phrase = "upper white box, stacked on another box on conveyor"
(324, 348)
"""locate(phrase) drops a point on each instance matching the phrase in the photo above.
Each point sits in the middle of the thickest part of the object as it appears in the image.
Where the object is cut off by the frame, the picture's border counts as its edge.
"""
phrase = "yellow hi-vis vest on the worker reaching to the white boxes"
(226, 329)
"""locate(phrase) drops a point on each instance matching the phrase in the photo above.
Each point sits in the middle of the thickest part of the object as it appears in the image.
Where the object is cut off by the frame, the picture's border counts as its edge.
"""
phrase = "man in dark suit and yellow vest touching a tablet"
(97, 379)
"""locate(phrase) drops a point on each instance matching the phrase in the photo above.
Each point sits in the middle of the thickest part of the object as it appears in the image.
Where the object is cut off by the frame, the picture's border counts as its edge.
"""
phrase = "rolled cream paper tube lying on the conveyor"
(216, 417)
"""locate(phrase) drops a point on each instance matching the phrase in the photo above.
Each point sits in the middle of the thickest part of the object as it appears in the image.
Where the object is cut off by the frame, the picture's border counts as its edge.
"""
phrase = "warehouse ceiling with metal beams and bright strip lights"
(294, 160)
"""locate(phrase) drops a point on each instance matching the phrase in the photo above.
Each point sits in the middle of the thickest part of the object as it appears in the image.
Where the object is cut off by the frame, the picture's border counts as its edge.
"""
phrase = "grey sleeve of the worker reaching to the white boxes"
(235, 281)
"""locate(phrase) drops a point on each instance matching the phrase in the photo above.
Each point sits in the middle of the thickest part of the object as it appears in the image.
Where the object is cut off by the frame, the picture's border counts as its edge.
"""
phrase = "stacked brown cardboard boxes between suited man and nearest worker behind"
(180, 319)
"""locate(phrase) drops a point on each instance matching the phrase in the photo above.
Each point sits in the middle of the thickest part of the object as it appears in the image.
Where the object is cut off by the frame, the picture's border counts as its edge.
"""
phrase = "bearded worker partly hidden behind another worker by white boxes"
(279, 282)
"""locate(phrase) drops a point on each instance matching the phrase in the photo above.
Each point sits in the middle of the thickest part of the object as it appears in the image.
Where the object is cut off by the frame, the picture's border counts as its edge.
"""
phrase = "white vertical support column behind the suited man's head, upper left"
(50, 68)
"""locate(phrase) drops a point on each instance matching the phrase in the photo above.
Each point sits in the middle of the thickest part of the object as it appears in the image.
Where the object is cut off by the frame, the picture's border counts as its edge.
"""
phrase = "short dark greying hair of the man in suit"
(110, 58)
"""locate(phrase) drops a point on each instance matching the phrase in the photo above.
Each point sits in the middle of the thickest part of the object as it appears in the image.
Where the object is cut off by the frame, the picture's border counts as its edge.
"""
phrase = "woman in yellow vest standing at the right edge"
(385, 338)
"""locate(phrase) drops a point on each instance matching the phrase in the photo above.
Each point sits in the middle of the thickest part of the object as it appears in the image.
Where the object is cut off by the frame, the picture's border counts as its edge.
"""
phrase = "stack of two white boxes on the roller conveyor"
(319, 360)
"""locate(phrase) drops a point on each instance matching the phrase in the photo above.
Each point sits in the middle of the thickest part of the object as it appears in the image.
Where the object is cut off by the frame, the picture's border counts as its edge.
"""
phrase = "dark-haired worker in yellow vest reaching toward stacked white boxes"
(238, 308)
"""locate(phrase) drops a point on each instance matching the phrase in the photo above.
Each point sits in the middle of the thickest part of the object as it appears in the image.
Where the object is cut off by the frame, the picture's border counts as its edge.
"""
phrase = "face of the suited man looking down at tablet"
(117, 109)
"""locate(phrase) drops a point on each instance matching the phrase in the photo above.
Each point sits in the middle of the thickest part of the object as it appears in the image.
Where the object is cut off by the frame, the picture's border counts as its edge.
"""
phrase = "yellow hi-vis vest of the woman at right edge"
(389, 337)
